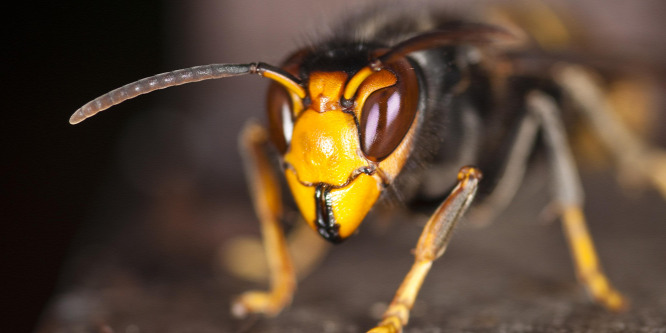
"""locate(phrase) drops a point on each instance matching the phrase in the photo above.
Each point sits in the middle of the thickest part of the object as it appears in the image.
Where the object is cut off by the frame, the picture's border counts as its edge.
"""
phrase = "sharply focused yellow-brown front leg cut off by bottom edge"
(431, 245)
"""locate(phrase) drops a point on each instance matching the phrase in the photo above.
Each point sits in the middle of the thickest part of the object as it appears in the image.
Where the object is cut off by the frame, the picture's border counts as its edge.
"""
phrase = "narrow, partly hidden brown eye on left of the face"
(280, 116)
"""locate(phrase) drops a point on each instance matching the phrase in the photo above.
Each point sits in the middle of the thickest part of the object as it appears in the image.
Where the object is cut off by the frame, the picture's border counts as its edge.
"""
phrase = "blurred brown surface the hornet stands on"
(513, 276)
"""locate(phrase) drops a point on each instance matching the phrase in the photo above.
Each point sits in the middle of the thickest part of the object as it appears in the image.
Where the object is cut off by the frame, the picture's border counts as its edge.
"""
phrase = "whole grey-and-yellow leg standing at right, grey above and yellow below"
(569, 194)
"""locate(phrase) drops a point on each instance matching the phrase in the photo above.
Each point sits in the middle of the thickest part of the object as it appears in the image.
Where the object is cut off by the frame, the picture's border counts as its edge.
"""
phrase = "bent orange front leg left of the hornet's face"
(268, 205)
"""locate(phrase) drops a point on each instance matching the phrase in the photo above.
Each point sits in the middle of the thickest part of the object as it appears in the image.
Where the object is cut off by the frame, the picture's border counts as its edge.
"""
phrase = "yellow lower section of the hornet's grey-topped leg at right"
(585, 259)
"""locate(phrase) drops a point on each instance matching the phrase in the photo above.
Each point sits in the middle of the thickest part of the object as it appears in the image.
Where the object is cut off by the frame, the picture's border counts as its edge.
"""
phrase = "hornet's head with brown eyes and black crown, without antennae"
(348, 138)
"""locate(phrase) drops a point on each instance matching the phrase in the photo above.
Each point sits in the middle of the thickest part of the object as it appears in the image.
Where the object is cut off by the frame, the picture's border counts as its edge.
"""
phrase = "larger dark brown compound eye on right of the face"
(386, 117)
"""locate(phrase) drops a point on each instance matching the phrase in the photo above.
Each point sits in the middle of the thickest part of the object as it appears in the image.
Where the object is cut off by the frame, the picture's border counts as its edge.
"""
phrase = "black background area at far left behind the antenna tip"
(55, 55)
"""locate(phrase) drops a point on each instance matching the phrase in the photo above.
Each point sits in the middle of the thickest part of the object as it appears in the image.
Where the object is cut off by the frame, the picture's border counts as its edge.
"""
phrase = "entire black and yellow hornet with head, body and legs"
(443, 109)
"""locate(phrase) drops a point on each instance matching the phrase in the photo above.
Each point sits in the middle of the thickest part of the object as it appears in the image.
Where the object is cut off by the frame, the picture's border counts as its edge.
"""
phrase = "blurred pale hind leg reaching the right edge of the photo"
(638, 160)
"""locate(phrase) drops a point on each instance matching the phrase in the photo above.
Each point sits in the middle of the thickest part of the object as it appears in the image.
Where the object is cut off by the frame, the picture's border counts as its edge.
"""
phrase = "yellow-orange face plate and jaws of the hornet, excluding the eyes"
(333, 179)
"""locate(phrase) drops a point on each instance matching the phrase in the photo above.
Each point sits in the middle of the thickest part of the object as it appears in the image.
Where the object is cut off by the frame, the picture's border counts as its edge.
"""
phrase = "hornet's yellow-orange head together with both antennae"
(343, 118)
